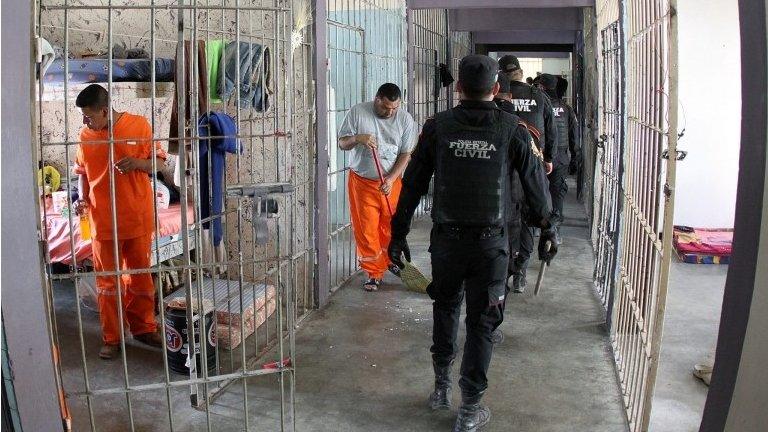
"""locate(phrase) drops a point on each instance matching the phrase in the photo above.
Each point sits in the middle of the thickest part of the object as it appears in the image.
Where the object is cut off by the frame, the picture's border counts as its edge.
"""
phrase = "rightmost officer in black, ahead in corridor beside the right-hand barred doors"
(568, 148)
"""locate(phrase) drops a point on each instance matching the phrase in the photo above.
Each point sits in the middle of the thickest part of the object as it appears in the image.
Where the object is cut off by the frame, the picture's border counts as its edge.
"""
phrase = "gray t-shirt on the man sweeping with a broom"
(394, 136)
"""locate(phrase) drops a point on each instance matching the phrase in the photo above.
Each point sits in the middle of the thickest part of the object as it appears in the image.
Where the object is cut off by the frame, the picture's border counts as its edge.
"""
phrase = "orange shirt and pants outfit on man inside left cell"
(135, 224)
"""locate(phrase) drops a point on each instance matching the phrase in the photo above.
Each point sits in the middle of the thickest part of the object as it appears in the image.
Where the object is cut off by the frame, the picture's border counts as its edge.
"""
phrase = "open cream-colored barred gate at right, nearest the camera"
(647, 30)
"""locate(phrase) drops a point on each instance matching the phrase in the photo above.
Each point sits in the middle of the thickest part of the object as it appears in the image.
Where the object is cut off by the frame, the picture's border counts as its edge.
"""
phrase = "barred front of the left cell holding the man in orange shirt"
(245, 293)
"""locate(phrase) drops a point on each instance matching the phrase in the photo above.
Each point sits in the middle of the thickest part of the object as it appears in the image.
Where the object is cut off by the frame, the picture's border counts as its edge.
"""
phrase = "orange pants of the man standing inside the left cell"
(138, 290)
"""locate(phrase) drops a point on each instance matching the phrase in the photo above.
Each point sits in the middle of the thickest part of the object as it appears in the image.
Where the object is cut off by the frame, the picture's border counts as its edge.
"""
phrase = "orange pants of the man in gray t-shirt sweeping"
(371, 221)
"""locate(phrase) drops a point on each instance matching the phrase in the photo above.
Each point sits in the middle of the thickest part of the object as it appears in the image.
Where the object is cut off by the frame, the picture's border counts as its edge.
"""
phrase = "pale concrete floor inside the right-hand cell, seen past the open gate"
(690, 334)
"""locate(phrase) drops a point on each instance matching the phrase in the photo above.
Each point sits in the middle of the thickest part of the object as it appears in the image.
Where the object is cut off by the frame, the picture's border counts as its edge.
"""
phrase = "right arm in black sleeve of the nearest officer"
(532, 178)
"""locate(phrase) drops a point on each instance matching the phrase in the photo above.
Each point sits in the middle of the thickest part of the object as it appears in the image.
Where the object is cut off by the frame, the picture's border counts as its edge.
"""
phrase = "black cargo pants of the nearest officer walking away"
(471, 263)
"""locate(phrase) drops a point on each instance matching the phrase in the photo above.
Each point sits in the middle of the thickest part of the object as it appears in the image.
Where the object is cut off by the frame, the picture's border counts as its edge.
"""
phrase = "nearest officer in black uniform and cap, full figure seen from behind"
(471, 150)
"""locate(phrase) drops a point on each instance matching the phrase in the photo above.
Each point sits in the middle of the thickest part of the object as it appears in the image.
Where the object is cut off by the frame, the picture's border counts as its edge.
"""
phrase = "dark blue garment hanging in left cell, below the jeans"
(215, 124)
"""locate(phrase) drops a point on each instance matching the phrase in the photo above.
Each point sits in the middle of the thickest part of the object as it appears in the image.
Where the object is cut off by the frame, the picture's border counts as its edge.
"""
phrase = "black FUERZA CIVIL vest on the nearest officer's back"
(472, 170)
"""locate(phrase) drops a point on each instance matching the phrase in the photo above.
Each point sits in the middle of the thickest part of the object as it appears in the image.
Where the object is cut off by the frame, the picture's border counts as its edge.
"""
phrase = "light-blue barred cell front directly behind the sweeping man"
(366, 48)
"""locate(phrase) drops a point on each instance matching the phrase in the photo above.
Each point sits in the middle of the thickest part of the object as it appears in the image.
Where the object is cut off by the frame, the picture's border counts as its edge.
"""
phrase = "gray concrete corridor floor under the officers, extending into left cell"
(363, 362)
